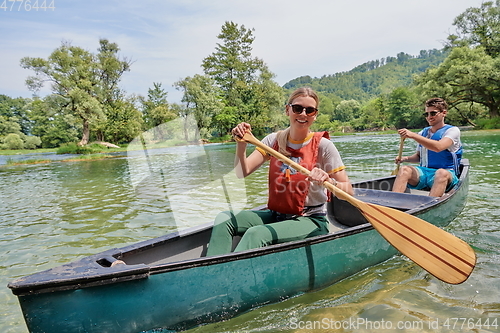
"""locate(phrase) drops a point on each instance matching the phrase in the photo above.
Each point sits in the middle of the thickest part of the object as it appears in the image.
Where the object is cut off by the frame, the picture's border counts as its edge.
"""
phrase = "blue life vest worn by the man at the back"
(442, 160)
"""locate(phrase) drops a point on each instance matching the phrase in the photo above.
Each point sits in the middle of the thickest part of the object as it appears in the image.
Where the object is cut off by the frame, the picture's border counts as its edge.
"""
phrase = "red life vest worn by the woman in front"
(288, 188)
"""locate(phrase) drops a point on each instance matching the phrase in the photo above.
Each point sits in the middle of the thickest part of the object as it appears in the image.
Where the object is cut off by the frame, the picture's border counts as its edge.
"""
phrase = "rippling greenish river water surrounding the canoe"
(61, 211)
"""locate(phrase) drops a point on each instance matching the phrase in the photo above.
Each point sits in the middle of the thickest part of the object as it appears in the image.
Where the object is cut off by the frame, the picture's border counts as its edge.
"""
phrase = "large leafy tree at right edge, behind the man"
(469, 77)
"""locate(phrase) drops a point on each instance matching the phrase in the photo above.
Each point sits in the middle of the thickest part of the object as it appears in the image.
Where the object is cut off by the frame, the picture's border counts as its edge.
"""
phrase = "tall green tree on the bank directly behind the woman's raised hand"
(246, 84)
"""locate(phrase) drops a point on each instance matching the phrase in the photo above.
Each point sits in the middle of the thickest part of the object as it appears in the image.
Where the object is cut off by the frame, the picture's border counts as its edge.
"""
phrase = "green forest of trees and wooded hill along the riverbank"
(87, 104)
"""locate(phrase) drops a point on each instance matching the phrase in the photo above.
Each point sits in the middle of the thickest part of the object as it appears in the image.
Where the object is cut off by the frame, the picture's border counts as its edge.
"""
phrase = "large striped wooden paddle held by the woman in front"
(443, 255)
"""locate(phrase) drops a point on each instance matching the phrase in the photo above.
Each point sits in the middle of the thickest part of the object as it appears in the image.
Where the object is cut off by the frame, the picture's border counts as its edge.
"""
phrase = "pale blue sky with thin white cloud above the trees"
(167, 40)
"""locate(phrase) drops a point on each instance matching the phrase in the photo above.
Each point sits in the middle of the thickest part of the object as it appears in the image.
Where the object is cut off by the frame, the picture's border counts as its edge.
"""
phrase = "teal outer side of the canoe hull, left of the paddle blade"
(187, 297)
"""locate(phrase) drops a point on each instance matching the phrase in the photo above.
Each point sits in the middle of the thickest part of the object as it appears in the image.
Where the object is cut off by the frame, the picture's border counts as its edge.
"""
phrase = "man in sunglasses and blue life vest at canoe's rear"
(439, 152)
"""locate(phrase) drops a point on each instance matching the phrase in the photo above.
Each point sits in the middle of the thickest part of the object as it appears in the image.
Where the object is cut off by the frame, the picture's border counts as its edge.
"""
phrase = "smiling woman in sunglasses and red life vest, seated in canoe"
(296, 203)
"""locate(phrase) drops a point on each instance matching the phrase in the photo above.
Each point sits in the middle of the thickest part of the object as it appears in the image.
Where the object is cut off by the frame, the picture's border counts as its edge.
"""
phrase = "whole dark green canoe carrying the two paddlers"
(168, 283)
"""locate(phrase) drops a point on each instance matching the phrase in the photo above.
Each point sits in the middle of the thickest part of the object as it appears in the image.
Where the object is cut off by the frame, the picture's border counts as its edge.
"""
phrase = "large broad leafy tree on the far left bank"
(86, 83)
